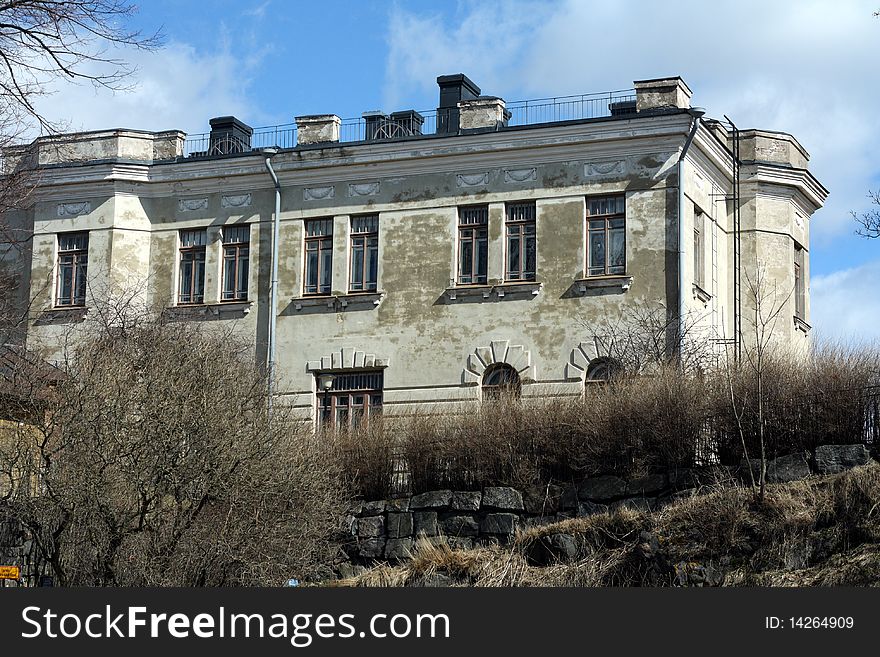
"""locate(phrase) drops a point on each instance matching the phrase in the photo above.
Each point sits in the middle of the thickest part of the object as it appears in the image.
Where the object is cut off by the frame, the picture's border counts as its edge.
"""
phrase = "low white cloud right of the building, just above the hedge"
(845, 304)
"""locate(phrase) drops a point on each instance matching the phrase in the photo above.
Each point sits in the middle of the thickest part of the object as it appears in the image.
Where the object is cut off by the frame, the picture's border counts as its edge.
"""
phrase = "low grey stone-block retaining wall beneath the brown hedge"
(386, 530)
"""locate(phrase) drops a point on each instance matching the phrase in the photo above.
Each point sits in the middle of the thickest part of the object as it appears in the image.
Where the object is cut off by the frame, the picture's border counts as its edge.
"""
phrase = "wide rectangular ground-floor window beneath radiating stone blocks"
(351, 399)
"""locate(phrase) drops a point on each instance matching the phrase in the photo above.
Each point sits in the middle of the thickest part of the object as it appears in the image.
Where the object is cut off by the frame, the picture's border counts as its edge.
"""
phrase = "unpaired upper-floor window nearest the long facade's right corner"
(606, 240)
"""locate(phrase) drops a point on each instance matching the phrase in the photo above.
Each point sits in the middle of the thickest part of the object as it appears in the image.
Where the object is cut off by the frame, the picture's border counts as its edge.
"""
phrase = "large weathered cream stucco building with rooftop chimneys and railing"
(423, 257)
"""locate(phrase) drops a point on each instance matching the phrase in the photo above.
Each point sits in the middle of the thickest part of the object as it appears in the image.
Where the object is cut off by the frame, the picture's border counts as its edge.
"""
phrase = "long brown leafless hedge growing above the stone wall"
(630, 427)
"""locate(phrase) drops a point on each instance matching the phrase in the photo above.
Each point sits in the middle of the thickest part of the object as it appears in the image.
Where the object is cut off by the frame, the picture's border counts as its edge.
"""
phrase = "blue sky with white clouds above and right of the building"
(805, 67)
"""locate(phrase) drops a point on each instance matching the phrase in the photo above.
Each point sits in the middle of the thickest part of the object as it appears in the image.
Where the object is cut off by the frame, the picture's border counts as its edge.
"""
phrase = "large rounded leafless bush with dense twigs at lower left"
(152, 461)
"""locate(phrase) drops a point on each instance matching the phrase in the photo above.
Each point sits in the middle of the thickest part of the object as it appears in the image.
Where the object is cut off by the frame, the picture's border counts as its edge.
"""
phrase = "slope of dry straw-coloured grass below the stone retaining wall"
(817, 532)
